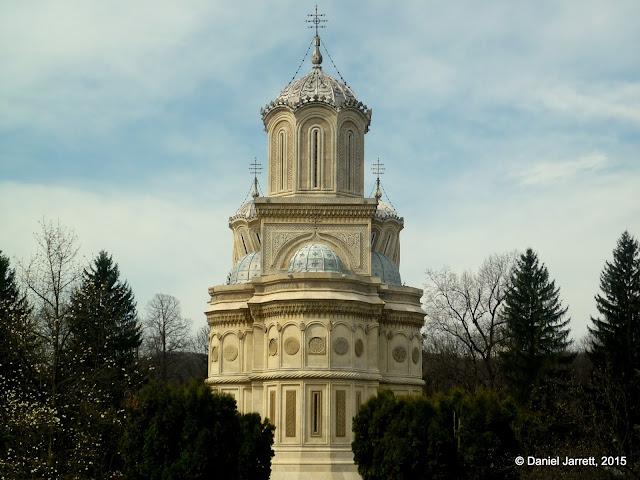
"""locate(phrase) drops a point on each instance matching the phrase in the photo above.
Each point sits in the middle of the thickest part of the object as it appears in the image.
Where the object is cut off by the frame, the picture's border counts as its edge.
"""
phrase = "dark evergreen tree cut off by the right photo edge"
(615, 345)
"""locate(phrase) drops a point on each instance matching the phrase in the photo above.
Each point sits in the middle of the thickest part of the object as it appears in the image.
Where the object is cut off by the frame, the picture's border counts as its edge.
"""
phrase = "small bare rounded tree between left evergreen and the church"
(166, 331)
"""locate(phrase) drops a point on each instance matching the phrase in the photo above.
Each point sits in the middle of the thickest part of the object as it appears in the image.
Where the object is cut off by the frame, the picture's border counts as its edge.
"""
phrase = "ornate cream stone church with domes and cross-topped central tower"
(314, 318)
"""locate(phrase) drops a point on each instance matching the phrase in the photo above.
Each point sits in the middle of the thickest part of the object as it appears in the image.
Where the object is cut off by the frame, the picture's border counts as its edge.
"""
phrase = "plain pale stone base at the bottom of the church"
(294, 464)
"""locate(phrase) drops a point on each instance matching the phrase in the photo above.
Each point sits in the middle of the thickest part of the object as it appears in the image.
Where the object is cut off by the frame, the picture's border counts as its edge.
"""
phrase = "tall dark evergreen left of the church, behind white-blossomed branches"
(100, 368)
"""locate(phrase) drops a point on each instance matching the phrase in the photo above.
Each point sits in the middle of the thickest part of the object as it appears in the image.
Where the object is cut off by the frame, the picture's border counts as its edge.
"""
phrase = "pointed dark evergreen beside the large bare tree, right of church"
(536, 333)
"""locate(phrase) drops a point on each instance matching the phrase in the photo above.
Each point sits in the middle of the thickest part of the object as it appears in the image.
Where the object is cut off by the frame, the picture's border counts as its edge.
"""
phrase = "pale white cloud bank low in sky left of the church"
(161, 246)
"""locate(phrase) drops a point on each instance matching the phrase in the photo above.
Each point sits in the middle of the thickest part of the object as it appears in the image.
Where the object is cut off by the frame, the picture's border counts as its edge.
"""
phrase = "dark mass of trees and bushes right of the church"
(503, 380)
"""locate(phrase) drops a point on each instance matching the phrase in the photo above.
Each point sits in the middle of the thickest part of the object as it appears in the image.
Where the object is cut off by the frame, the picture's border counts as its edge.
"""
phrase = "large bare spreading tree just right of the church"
(466, 309)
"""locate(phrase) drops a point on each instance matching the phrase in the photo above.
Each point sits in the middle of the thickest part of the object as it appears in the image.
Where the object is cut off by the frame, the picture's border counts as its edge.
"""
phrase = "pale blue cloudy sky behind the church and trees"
(502, 125)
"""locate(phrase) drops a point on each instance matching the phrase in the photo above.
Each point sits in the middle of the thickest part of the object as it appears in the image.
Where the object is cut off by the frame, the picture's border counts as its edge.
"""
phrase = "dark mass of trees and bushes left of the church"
(89, 389)
